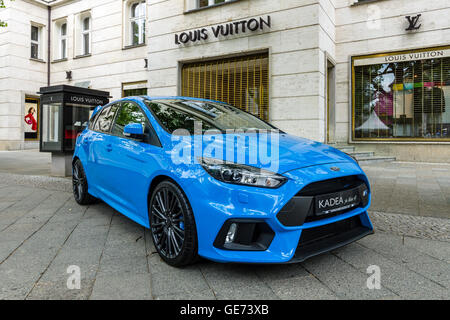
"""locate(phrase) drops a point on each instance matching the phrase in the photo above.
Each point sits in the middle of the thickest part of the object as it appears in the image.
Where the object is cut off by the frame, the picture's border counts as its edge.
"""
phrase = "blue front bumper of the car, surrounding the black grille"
(215, 204)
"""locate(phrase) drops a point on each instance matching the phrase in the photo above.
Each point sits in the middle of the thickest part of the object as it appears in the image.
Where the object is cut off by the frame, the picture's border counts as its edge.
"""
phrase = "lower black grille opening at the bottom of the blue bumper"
(318, 234)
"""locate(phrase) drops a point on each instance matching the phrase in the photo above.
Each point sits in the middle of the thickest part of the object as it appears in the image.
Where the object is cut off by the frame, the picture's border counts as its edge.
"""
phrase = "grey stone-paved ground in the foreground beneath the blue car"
(43, 232)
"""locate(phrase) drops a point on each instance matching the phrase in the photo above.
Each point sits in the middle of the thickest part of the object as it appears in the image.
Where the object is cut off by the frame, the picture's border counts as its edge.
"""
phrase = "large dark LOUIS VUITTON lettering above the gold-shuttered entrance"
(224, 30)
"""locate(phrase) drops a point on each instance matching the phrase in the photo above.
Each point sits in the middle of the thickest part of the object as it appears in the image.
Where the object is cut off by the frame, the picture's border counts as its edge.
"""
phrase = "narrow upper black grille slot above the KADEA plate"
(330, 186)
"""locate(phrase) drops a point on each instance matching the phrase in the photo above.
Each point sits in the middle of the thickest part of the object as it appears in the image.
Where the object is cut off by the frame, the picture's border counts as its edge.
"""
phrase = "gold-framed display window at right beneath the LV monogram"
(405, 98)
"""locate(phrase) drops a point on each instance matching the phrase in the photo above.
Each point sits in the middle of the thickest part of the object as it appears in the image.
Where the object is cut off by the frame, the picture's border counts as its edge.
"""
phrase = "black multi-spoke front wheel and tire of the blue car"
(172, 225)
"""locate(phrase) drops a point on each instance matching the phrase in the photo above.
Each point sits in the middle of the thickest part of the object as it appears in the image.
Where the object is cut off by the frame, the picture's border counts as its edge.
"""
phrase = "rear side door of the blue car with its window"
(99, 159)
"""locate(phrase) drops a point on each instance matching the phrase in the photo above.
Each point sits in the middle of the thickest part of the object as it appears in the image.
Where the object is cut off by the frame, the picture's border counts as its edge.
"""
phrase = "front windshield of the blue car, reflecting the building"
(183, 114)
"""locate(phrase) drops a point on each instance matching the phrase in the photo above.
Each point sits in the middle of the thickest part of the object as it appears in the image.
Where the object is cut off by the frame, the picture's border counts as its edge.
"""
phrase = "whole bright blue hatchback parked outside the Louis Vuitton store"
(210, 180)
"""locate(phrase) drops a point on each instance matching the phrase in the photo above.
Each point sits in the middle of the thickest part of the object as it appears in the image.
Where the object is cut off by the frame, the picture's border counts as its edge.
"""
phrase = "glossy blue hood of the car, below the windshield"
(277, 152)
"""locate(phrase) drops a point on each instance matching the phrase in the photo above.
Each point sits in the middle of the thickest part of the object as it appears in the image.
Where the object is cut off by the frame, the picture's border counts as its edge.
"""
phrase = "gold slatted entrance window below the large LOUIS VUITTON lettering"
(242, 82)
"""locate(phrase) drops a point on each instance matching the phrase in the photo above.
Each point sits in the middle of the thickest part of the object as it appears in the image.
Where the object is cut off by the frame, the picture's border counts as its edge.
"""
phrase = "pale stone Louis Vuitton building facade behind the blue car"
(371, 73)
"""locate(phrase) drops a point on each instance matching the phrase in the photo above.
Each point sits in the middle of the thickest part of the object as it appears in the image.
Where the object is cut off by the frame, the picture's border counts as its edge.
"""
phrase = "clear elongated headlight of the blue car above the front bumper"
(241, 174)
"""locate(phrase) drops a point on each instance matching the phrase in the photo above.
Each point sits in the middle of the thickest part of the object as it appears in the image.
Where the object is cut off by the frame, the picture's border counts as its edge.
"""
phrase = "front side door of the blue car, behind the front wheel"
(134, 161)
